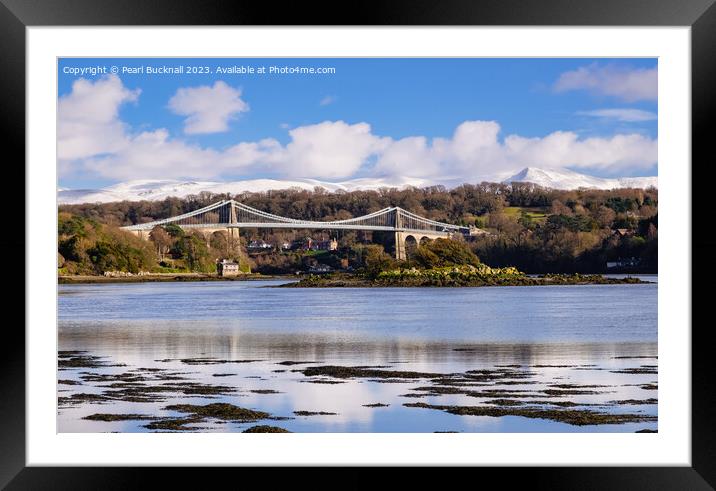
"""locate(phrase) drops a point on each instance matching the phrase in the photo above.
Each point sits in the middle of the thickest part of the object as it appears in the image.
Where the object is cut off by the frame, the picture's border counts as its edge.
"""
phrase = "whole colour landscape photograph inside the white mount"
(357, 245)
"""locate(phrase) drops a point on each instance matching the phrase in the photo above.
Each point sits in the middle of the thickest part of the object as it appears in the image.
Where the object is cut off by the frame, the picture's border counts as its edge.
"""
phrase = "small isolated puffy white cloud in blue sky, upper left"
(208, 109)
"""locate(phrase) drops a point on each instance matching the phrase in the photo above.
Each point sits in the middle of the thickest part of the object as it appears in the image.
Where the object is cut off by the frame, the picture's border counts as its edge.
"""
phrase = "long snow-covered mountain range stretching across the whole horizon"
(156, 190)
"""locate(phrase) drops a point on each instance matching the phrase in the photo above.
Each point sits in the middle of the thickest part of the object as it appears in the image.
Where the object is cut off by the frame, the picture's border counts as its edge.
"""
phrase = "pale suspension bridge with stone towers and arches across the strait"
(230, 216)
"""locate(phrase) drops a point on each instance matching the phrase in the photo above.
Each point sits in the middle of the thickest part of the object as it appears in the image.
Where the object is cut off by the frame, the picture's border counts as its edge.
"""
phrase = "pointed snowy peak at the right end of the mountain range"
(567, 179)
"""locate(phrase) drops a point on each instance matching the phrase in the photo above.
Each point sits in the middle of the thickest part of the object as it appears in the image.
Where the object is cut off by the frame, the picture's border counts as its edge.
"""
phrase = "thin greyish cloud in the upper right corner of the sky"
(628, 84)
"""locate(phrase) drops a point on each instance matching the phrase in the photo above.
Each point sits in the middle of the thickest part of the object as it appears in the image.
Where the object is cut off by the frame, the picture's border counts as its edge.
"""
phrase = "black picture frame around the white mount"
(700, 15)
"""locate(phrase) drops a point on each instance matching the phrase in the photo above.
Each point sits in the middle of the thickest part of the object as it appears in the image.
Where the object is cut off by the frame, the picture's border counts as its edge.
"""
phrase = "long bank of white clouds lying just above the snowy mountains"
(93, 140)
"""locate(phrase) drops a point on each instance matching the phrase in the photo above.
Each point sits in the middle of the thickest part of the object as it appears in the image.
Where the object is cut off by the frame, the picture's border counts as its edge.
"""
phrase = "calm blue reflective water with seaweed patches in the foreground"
(543, 338)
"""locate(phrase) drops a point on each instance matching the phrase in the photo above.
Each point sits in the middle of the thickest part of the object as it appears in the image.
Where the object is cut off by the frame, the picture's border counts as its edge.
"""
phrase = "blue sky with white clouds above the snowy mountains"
(464, 118)
